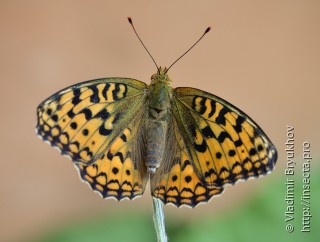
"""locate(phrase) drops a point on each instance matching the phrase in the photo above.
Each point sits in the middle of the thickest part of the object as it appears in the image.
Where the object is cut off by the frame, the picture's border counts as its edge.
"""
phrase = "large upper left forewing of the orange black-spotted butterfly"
(82, 120)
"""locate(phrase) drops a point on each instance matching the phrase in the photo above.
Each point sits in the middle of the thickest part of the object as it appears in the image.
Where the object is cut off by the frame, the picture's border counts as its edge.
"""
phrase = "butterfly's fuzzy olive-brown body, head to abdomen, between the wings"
(160, 93)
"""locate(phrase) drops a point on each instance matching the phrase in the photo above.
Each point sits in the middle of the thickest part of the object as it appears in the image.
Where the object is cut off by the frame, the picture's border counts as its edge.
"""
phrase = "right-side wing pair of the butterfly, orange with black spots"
(219, 145)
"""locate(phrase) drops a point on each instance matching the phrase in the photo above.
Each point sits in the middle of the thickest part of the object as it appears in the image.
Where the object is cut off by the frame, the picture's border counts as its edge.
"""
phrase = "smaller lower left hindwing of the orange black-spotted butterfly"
(121, 171)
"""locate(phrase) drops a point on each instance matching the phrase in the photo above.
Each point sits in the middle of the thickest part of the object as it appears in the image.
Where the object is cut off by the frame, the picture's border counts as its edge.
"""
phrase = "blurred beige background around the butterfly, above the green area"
(262, 56)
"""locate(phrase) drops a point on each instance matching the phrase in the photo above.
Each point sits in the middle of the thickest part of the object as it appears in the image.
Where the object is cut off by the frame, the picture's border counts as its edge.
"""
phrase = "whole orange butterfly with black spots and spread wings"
(120, 133)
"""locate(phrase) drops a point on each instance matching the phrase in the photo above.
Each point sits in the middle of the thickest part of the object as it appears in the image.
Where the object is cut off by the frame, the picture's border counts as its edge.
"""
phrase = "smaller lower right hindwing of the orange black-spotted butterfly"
(176, 181)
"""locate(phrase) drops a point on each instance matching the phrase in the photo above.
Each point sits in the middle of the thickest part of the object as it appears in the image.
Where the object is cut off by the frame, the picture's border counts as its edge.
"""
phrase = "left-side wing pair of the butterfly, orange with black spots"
(97, 125)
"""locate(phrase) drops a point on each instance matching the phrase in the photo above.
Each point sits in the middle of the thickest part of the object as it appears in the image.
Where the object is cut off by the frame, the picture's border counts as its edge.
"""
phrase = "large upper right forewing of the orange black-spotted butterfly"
(225, 145)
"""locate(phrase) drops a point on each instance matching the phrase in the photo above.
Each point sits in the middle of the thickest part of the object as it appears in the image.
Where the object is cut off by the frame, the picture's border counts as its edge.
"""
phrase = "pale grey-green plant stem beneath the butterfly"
(158, 219)
